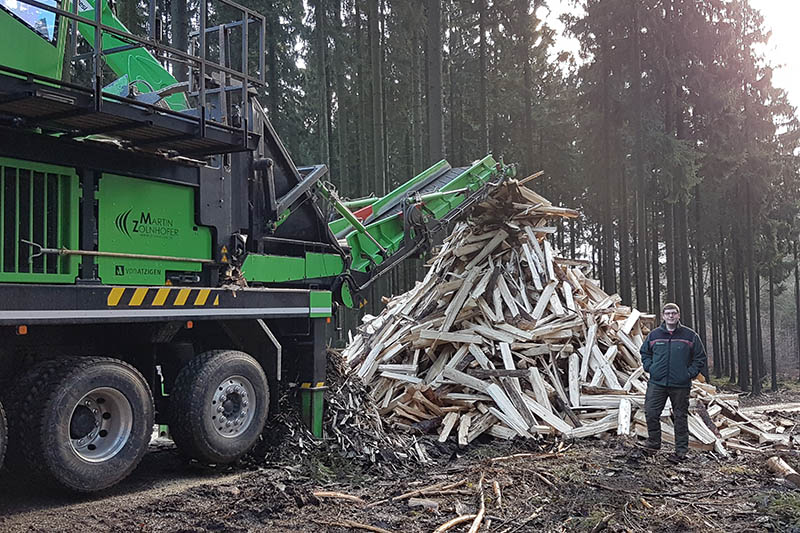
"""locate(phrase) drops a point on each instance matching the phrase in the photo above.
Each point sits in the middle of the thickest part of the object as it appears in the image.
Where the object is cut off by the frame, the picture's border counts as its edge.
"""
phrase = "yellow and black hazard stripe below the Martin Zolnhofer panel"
(160, 297)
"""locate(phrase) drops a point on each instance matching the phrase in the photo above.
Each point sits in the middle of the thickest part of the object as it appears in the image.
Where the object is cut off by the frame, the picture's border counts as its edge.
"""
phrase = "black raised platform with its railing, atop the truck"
(128, 118)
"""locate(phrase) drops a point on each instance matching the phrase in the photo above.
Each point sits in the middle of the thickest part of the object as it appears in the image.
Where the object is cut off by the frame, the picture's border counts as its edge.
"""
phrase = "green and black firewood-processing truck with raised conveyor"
(162, 259)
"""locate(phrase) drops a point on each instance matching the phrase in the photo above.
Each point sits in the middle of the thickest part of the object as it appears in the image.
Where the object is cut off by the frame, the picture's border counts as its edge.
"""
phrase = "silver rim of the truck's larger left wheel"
(100, 424)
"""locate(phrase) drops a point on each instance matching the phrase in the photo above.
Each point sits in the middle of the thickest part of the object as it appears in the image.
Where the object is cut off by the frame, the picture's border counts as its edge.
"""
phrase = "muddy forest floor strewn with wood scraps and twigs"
(592, 485)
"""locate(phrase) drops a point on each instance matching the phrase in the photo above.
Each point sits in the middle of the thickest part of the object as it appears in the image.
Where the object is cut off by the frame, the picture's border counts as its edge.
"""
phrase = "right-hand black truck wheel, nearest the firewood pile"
(218, 406)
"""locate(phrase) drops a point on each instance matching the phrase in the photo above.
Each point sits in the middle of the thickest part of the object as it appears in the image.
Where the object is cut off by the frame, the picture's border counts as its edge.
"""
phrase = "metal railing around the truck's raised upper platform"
(208, 77)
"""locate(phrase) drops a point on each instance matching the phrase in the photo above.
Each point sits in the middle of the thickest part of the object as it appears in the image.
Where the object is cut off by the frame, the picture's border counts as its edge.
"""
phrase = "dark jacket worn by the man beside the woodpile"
(673, 358)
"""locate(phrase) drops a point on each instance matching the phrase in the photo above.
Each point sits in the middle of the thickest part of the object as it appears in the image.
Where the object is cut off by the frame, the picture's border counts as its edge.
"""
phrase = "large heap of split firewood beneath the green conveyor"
(504, 336)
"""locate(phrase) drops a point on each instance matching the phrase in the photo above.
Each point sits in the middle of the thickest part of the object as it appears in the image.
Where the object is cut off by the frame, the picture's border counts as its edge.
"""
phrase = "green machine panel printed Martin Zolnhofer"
(138, 216)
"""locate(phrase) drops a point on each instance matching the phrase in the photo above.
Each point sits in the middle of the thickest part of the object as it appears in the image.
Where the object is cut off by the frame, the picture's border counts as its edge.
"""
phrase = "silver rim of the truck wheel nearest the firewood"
(232, 407)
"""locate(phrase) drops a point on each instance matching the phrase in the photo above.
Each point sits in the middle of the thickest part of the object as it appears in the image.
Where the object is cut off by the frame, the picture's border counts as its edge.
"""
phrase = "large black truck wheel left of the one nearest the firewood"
(85, 423)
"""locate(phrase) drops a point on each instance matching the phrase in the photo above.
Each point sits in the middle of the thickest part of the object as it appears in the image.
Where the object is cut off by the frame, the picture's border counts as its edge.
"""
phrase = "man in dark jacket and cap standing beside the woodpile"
(673, 355)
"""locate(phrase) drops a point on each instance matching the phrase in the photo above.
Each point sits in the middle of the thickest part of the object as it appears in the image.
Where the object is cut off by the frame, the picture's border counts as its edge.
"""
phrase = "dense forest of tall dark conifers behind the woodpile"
(664, 129)
